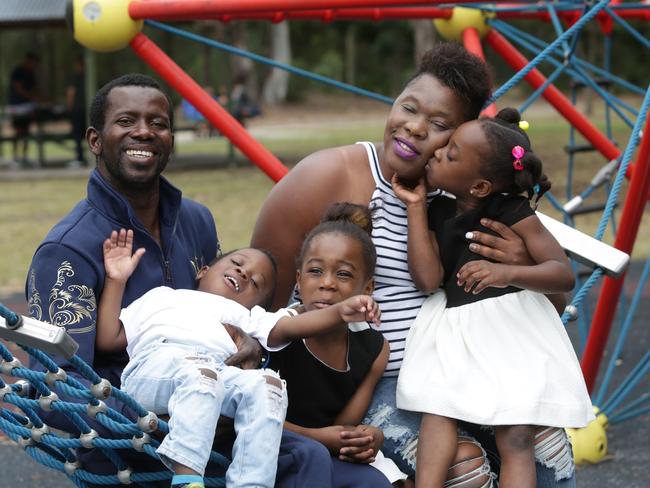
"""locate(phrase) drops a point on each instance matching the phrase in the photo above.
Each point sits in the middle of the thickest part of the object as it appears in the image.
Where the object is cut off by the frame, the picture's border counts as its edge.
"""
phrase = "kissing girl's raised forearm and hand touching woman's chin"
(423, 255)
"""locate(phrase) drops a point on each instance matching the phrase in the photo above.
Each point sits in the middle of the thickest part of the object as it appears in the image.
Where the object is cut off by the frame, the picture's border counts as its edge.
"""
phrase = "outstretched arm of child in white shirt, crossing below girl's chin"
(354, 309)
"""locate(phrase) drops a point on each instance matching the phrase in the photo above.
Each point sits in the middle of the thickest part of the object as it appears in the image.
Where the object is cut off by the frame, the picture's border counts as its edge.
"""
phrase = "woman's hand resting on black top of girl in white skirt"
(507, 247)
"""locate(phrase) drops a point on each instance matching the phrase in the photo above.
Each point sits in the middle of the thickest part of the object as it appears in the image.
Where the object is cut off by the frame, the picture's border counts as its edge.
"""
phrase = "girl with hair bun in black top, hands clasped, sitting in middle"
(331, 377)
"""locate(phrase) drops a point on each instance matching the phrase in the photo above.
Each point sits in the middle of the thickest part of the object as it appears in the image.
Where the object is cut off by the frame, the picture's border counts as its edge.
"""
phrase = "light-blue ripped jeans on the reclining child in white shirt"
(195, 387)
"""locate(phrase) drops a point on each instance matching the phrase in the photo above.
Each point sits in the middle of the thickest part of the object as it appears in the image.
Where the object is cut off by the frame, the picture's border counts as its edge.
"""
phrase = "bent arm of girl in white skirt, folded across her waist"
(553, 274)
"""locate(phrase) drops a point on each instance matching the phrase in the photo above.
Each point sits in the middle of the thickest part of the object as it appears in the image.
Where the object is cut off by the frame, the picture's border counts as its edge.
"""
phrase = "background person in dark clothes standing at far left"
(23, 95)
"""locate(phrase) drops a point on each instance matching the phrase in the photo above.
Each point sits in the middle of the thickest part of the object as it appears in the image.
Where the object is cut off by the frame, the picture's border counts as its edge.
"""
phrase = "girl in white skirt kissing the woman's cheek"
(491, 348)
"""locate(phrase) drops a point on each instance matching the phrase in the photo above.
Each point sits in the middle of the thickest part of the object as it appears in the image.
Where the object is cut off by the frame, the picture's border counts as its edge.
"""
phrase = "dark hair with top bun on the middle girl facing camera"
(348, 219)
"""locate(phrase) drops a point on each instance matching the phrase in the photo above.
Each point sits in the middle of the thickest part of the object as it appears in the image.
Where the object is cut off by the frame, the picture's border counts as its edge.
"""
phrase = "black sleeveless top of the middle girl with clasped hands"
(318, 393)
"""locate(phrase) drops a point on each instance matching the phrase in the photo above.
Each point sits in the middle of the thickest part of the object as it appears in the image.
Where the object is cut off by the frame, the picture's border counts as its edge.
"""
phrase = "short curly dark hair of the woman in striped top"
(464, 73)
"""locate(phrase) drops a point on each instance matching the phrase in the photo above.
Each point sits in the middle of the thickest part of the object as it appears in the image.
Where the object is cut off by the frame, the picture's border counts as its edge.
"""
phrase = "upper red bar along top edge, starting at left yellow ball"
(199, 9)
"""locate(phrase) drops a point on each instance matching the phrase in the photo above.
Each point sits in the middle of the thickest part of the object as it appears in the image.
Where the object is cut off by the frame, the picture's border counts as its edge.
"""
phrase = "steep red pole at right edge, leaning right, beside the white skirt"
(608, 299)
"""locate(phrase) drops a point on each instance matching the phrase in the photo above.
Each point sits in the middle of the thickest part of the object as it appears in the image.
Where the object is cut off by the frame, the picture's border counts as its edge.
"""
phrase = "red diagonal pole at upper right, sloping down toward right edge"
(554, 96)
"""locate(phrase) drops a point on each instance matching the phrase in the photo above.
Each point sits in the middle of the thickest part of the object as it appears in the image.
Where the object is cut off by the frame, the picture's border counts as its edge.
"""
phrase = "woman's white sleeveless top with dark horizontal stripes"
(399, 299)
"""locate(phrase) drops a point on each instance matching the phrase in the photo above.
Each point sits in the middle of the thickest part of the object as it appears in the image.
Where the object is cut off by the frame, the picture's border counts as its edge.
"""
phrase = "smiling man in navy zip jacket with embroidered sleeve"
(131, 136)
